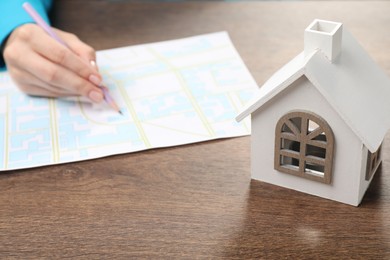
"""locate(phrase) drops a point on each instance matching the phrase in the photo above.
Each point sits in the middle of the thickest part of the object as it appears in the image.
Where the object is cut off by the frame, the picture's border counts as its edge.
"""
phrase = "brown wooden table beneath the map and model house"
(195, 201)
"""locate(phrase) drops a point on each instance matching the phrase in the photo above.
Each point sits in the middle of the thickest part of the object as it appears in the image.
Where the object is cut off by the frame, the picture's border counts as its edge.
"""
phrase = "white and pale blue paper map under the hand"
(171, 93)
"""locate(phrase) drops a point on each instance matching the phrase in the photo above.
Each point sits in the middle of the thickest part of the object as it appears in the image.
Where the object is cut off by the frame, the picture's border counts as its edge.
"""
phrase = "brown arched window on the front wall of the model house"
(304, 146)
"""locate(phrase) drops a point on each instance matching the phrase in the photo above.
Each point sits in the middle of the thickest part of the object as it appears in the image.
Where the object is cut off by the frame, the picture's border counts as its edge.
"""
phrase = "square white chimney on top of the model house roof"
(323, 35)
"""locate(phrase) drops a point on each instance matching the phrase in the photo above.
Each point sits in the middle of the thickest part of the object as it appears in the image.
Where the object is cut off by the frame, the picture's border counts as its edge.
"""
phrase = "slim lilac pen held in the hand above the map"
(40, 22)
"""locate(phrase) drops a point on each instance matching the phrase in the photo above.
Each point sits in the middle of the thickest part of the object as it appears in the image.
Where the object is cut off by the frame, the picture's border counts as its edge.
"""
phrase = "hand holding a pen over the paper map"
(41, 66)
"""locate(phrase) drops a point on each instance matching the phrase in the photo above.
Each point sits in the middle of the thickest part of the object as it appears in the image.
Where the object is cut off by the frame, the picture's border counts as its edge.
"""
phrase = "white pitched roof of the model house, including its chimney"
(342, 71)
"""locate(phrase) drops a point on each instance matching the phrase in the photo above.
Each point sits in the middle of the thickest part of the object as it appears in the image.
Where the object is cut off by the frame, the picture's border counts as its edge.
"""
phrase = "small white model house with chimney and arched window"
(318, 123)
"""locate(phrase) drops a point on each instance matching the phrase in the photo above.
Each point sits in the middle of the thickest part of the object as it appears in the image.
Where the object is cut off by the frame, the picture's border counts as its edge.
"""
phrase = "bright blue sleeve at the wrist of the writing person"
(13, 15)
